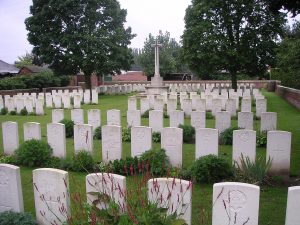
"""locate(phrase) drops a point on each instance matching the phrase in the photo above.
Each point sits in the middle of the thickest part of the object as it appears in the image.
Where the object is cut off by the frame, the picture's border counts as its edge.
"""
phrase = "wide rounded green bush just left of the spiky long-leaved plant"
(210, 169)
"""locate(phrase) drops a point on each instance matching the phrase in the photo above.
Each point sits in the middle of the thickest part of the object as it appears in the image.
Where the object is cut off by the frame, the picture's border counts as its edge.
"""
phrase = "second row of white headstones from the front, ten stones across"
(207, 142)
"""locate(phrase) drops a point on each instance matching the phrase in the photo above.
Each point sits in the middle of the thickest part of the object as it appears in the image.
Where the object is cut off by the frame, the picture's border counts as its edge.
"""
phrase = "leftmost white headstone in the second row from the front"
(10, 136)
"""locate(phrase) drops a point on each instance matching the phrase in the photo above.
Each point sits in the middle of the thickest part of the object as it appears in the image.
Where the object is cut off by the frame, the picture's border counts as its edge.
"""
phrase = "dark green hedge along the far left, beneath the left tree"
(39, 80)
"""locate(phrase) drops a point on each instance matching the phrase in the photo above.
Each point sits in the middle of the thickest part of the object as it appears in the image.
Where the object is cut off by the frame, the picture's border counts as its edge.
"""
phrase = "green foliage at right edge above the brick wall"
(288, 59)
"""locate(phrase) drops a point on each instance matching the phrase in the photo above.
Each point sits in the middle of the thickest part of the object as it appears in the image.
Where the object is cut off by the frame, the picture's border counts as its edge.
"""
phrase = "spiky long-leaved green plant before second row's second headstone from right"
(253, 172)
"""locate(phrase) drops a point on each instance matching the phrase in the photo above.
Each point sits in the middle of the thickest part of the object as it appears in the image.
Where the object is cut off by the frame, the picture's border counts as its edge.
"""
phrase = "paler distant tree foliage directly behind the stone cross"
(169, 55)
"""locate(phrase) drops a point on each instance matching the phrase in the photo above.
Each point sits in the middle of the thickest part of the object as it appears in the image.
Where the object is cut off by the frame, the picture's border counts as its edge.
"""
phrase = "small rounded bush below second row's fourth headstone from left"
(82, 162)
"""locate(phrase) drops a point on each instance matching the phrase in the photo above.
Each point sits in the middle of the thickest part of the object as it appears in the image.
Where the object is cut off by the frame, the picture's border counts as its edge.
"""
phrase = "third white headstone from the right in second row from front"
(207, 142)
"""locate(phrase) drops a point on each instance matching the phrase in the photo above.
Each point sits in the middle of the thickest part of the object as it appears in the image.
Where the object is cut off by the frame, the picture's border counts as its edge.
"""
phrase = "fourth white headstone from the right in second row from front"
(171, 141)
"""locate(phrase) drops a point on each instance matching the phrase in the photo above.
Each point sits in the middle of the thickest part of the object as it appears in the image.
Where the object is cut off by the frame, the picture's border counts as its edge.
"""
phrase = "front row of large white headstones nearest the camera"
(232, 202)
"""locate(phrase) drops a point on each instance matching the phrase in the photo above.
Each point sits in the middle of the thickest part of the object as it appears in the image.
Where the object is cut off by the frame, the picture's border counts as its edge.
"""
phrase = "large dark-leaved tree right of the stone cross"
(232, 35)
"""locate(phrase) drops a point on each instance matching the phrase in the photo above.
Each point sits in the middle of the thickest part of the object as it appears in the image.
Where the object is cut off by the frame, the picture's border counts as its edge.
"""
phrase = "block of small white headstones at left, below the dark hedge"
(55, 99)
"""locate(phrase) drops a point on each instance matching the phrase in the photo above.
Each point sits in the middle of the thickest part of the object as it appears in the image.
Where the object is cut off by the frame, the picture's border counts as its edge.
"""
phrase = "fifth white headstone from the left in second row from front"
(111, 143)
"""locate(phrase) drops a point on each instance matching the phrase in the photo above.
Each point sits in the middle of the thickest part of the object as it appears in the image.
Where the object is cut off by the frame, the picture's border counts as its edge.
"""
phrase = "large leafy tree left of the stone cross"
(74, 35)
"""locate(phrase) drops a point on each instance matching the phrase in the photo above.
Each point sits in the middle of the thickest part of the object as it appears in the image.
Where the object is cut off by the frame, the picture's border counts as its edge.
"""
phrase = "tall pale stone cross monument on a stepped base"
(156, 86)
